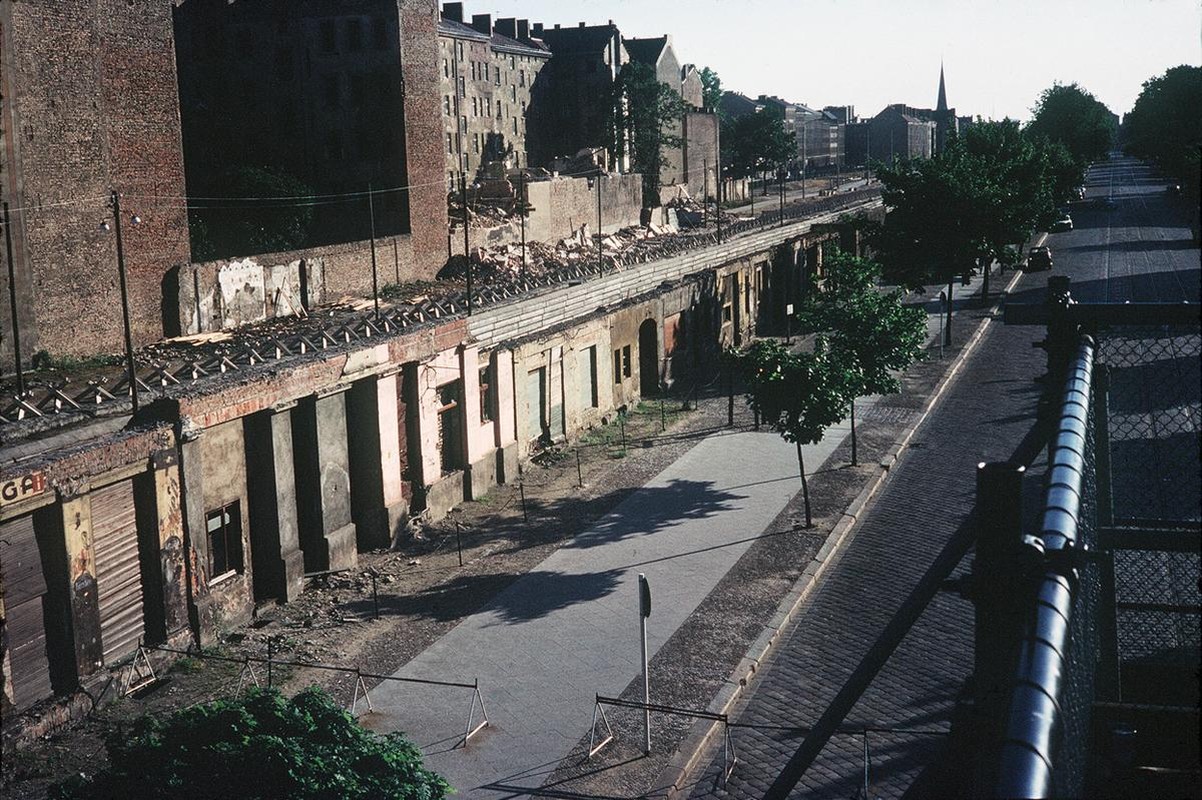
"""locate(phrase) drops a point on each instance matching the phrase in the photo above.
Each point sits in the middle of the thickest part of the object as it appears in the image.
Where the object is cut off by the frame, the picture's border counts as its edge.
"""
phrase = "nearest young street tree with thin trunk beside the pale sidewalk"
(796, 395)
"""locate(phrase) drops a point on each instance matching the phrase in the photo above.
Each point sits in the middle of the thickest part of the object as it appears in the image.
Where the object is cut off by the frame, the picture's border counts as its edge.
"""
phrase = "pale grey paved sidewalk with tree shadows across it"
(570, 628)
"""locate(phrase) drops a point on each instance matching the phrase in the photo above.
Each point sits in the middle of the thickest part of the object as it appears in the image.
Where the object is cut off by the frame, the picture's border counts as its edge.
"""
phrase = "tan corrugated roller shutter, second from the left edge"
(118, 571)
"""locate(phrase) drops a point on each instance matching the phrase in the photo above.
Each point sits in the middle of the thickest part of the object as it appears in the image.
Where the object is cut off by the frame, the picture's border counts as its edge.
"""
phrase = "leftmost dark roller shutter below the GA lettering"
(23, 587)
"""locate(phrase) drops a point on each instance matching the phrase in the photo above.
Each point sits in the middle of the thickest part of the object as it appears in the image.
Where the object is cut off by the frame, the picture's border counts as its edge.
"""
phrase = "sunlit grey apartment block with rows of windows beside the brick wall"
(491, 87)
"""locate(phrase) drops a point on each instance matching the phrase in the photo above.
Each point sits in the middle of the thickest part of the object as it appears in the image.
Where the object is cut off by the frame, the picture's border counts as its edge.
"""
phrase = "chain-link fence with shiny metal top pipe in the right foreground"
(1110, 607)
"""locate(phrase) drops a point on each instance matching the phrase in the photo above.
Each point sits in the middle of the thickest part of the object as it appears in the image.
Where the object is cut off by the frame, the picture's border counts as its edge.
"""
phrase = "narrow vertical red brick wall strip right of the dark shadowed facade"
(425, 141)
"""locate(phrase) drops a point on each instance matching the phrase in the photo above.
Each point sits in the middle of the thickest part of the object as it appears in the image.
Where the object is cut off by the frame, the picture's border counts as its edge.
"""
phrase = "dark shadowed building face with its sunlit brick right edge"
(344, 99)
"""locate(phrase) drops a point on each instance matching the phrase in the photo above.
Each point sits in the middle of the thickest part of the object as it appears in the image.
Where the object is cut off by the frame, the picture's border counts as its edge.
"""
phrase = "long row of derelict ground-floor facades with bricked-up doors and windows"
(222, 493)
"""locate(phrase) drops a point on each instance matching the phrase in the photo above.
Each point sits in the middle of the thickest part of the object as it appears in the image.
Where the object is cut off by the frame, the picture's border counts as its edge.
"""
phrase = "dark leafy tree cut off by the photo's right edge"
(1165, 126)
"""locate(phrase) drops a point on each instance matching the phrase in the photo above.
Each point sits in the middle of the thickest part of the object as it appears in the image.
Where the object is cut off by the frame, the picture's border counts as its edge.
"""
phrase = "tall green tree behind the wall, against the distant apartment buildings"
(647, 121)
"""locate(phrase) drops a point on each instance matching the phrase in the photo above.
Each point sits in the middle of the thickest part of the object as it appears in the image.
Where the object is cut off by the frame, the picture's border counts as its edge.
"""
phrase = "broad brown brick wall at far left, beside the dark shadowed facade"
(94, 106)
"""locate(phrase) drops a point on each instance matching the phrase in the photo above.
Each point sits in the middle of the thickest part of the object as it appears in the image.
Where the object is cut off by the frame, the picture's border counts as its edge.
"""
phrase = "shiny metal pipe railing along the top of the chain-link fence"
(1027, 757)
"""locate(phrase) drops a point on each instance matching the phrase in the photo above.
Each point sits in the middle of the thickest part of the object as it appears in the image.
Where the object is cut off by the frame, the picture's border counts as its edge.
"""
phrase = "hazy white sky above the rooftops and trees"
(998, 55)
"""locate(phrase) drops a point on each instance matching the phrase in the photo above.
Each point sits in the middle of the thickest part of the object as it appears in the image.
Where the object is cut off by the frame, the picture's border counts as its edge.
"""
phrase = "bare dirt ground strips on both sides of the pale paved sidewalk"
(451, 569)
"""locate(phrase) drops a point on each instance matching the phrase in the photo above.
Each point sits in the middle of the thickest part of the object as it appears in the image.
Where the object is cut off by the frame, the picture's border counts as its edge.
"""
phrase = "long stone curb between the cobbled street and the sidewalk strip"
(697, 745)
